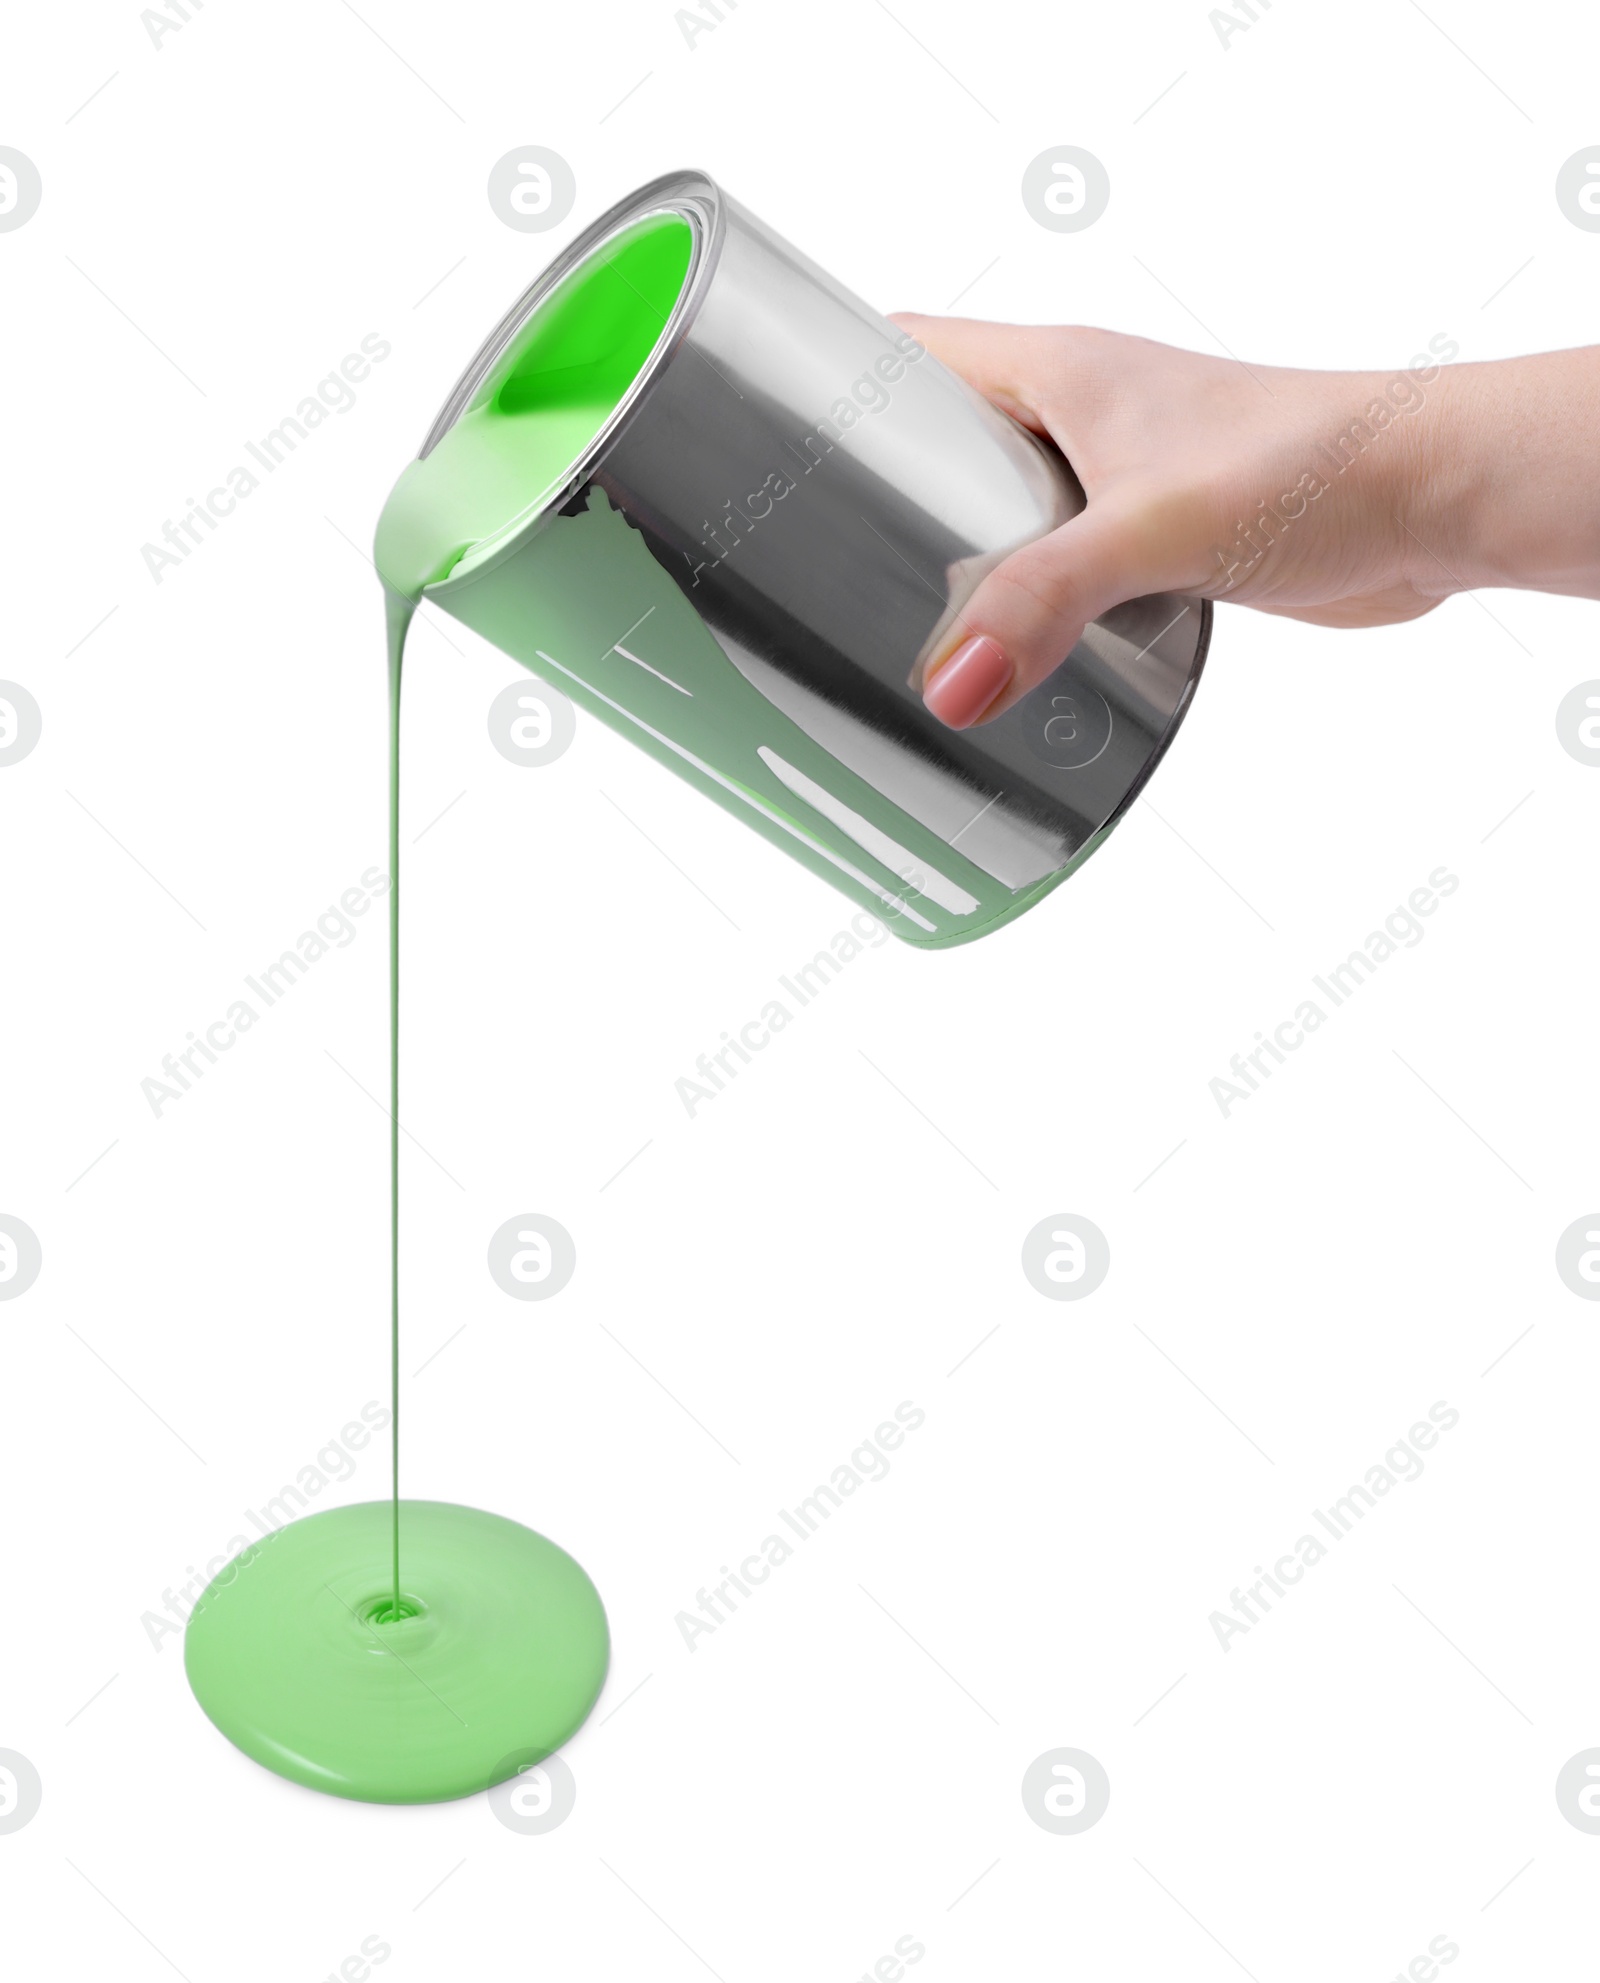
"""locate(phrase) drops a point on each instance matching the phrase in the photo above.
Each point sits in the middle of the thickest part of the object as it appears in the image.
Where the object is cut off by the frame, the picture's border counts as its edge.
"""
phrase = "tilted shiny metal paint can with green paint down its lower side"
(766, 540)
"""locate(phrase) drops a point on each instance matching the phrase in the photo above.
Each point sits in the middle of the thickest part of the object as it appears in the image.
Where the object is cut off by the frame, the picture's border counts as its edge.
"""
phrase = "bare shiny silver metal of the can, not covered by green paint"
(828, 497)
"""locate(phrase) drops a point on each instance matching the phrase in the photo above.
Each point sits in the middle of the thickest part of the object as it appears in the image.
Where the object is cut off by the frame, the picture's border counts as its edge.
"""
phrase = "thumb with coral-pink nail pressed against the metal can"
(1028, 616)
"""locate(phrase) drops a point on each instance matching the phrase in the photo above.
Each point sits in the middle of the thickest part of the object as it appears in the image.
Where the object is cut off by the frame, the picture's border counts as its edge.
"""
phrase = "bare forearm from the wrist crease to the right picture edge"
(1506, 479)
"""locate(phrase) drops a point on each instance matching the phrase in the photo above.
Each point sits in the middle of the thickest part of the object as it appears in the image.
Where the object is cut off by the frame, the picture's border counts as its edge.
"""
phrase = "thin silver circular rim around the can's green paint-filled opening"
(691, 197)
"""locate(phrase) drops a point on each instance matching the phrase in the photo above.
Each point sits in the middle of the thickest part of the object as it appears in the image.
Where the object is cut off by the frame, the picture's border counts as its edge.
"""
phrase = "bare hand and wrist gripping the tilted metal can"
(1482, 475)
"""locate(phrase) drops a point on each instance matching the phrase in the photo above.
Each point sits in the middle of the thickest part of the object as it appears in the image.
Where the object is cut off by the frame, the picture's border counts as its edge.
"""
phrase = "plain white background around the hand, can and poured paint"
(1296, 1286)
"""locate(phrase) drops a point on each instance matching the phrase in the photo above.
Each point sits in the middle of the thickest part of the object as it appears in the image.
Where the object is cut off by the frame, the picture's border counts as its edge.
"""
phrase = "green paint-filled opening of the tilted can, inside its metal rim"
(540, 408)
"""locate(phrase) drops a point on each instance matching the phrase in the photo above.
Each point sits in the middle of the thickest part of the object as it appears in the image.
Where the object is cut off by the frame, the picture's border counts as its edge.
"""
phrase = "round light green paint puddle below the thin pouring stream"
(497, 1659)
